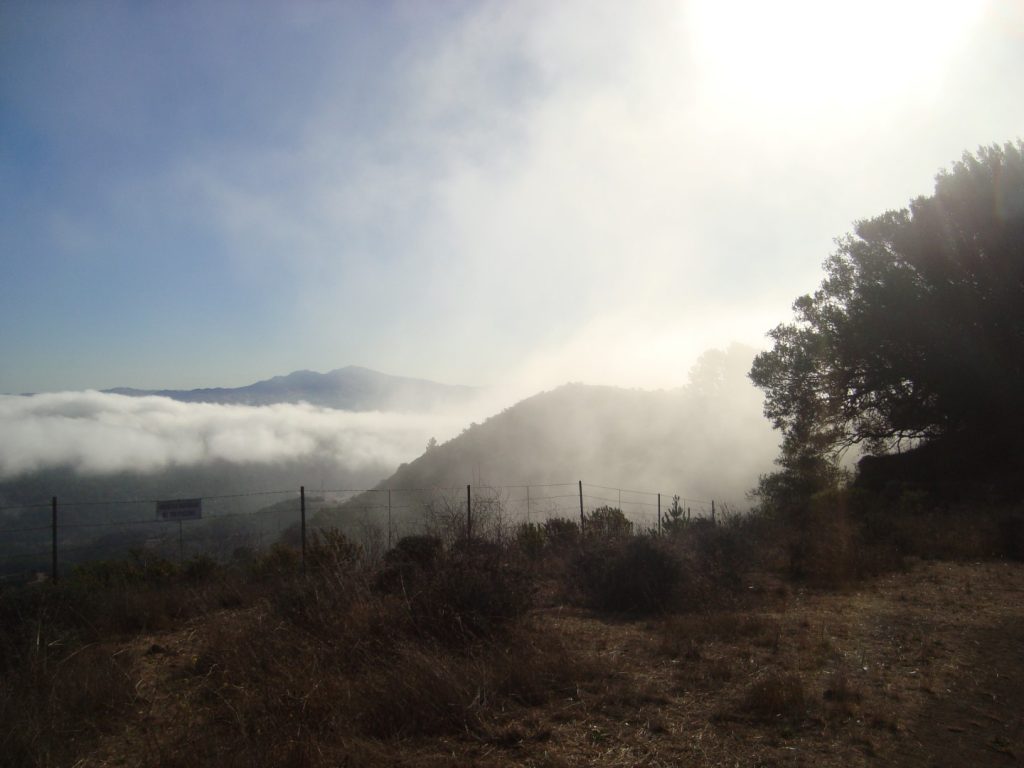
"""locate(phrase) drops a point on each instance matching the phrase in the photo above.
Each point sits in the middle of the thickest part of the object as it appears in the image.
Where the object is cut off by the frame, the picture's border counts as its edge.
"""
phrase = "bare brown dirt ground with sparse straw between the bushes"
(923, 668)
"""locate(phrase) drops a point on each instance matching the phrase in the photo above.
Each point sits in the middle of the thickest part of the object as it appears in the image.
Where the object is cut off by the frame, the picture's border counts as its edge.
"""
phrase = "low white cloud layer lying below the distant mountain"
(96, 434)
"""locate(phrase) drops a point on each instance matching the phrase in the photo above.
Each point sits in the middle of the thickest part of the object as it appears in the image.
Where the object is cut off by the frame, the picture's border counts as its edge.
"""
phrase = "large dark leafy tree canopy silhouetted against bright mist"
(917, 332)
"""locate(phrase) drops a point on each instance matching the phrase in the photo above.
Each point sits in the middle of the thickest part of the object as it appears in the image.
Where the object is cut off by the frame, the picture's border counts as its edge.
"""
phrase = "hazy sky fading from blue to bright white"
(210, 194)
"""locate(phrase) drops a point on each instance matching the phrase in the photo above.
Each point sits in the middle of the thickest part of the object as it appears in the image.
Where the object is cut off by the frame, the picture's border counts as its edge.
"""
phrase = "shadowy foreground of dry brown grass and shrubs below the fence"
(443, 661)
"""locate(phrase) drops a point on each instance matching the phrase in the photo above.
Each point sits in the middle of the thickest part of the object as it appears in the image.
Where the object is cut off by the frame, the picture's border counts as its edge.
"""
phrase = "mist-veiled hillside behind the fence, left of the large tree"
(708, 440)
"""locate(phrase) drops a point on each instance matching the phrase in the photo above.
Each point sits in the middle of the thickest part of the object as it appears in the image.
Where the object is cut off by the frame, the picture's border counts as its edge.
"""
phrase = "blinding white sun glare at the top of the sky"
(805, 55)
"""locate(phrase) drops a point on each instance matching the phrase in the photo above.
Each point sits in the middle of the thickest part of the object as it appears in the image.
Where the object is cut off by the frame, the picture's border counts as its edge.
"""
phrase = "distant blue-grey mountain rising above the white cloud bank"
(351, 389)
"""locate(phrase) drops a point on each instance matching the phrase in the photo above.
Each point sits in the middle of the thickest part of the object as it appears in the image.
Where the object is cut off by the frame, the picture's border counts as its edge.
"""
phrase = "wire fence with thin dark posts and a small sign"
(40, 541)
